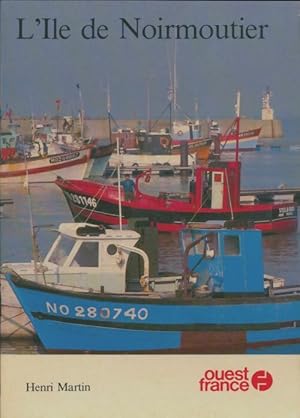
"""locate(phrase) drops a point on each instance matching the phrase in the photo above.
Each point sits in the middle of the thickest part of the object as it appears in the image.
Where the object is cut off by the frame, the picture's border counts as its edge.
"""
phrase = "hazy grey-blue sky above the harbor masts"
(136, 71)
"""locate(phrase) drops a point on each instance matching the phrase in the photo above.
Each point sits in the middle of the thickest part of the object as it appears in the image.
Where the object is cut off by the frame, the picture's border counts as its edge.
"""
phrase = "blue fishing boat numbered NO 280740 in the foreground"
(222, 303)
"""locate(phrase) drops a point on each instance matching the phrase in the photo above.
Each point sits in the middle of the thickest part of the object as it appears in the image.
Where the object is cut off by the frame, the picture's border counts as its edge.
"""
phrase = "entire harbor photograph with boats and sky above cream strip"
(149, 176)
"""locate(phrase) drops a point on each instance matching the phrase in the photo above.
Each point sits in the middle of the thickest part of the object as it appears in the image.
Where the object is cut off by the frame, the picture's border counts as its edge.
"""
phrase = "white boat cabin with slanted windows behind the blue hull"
(91, 256)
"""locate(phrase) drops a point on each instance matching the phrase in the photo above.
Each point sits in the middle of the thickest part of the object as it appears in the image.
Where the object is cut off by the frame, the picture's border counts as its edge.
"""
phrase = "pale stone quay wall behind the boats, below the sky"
(99, 128)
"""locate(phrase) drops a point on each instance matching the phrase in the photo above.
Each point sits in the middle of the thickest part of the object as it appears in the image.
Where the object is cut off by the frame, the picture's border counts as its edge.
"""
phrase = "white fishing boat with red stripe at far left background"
(42, 158)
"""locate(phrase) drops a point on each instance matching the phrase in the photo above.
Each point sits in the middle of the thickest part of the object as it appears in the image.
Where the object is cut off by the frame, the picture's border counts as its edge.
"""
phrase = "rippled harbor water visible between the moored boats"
(265, 168)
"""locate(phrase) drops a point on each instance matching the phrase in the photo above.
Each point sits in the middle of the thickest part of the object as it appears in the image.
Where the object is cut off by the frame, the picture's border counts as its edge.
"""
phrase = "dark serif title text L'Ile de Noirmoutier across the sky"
(136, 28)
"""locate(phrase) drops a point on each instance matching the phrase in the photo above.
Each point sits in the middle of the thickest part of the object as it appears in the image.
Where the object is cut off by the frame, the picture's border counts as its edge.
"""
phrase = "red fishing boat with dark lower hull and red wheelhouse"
(214, 195)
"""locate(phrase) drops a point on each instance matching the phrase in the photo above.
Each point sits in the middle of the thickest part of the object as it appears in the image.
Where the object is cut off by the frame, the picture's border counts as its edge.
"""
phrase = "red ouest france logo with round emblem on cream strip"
(240, 380)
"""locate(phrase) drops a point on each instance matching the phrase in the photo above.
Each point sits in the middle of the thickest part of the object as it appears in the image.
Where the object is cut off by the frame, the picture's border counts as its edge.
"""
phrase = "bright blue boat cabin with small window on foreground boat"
(225, 261)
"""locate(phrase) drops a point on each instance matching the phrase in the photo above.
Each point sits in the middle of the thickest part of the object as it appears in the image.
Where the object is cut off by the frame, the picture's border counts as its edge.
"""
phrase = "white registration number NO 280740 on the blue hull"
(101, 313)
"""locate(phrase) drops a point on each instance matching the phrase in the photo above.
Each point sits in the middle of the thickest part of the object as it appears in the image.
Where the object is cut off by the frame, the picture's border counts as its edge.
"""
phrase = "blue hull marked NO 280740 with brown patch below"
(66, 321)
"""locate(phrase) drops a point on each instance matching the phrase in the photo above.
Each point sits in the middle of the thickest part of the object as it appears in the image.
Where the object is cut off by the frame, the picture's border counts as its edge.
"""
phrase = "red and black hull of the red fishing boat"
(168, 215)
